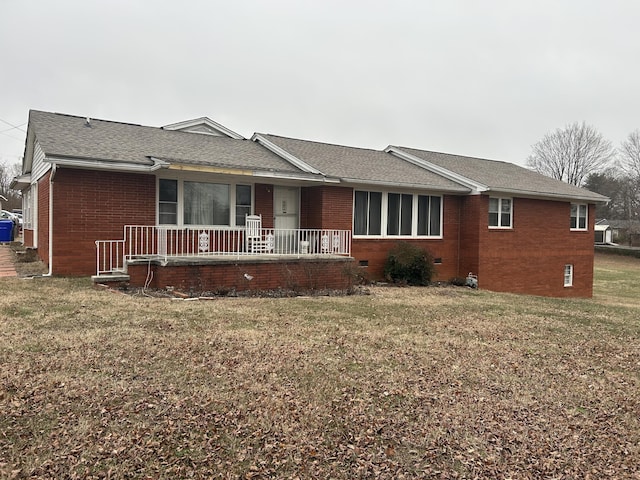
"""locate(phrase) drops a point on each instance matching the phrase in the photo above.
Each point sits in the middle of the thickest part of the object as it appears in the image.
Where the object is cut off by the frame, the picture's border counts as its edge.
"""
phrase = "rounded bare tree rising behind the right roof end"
(571, 153)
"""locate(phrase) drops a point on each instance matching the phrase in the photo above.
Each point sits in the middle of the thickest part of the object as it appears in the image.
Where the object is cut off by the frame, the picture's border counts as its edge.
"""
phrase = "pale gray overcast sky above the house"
(480, 78)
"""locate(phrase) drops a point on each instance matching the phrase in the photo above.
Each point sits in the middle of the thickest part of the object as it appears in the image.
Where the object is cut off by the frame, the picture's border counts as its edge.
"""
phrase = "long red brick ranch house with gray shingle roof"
(196, 206)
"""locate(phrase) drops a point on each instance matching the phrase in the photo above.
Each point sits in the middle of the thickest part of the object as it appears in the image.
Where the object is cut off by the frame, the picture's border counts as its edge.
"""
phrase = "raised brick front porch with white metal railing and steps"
(215, 259)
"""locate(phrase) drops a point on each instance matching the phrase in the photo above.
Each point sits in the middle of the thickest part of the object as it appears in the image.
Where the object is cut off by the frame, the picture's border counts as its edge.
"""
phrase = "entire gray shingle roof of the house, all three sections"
(69, 136)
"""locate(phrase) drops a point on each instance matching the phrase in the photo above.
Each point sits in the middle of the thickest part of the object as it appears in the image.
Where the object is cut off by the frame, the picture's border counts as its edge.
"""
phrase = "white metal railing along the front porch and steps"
(164, 242)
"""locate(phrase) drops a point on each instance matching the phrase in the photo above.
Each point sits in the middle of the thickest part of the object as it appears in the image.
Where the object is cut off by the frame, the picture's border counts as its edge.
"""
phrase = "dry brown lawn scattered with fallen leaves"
(404, 383)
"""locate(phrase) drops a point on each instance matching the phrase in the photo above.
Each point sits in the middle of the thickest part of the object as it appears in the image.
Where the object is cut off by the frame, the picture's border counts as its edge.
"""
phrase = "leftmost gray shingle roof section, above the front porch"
(68, 136)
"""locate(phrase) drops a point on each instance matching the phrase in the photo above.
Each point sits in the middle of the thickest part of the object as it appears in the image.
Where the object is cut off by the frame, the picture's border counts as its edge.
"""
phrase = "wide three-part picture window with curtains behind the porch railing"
(189, 202)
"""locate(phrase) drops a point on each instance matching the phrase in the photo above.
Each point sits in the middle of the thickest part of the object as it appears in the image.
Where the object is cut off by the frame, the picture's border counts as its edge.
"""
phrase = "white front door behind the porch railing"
(286, 207)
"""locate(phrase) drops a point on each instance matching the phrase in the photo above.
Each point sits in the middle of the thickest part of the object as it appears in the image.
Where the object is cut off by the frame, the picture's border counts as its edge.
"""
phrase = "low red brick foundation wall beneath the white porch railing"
(226, 276)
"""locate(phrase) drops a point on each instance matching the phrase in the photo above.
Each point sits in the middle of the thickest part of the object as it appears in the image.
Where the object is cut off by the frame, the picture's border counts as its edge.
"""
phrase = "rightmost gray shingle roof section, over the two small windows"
(505, 177)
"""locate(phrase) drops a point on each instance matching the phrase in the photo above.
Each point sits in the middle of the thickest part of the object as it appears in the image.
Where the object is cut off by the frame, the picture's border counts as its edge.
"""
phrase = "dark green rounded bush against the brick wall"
(407, 263)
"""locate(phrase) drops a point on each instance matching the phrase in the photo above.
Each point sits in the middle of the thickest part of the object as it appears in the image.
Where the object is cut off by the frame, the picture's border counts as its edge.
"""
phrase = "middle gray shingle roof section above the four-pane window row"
(352, 164)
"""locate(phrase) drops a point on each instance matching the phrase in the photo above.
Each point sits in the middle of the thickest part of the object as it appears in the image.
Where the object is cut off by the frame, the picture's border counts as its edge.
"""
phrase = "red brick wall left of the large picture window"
(95, 205)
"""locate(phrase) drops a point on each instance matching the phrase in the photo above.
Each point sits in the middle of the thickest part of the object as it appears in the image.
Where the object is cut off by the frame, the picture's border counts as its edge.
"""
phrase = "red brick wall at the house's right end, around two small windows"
(530, 257)
